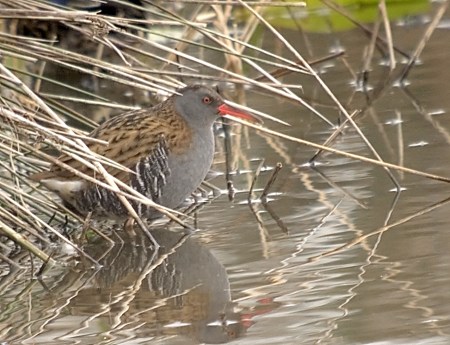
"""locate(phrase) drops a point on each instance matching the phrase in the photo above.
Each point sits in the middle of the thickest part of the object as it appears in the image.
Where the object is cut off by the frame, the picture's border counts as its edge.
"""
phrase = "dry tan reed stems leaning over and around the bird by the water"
(151, 55)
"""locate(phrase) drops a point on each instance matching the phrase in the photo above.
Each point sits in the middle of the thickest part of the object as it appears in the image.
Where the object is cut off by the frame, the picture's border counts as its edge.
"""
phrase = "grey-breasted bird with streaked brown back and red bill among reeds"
(168, 150)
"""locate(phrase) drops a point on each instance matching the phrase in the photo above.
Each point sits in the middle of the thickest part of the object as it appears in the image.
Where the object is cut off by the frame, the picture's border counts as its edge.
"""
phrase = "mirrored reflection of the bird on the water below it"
(182, 290)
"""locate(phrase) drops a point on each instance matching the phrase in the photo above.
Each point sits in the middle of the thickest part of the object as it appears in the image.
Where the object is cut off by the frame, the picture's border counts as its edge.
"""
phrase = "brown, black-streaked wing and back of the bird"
(132, 137)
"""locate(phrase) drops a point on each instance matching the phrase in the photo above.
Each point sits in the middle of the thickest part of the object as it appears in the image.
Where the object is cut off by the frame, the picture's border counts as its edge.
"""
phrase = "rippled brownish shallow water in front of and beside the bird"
(242, 277)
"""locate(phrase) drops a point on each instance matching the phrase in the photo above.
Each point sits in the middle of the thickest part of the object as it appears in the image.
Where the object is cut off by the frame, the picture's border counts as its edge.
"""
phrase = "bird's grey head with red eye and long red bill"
(200, 106)
